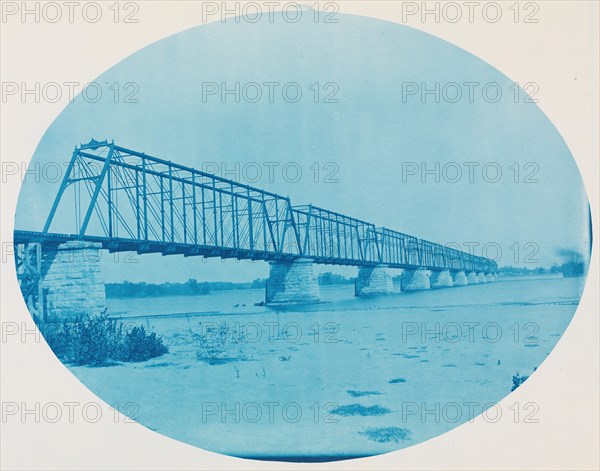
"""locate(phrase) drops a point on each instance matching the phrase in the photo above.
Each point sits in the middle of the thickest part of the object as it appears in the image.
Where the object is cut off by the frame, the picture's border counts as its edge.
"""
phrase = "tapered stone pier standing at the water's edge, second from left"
(292, 283)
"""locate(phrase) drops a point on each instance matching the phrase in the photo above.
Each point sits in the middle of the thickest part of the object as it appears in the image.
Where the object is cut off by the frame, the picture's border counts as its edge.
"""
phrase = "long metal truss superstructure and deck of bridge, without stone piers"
(131, 201)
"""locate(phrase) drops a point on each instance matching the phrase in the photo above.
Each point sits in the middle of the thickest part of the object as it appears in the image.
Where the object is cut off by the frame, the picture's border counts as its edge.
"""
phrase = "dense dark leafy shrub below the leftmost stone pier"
(97, 340)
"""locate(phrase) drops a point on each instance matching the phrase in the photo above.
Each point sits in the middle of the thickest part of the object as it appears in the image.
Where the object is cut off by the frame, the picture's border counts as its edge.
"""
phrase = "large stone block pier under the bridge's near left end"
(71, 280)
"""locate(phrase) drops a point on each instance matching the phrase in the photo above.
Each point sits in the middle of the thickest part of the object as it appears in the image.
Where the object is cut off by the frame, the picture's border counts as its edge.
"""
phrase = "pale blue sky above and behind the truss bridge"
(368, 138)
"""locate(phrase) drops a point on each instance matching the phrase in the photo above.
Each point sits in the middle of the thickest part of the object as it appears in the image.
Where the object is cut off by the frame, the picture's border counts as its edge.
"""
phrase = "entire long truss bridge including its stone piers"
(122, 200)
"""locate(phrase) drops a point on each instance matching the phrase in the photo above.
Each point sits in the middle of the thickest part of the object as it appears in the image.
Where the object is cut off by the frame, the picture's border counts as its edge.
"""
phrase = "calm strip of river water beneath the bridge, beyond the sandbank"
(341, 298)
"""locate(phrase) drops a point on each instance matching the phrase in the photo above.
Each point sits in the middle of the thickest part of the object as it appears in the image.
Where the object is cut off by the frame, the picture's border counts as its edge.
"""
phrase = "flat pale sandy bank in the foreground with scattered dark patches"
(327, 384)
